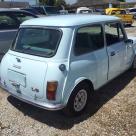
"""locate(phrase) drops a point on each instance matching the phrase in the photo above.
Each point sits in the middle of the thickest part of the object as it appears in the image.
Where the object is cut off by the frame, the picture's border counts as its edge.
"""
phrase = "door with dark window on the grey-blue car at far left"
(8, 29)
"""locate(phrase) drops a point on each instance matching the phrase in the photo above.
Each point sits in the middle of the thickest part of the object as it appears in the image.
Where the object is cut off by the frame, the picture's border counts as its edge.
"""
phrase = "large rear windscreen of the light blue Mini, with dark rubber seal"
(35, 41)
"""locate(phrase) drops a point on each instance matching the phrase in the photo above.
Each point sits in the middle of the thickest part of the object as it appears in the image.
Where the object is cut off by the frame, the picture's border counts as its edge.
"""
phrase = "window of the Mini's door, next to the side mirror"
(114, 33)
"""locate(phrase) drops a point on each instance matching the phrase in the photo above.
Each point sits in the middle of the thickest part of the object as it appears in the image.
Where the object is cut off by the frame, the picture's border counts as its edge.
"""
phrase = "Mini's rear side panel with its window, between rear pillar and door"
(90, 58)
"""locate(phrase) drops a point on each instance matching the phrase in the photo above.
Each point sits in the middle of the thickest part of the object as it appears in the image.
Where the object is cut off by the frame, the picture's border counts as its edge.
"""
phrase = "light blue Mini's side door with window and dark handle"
(116, 48)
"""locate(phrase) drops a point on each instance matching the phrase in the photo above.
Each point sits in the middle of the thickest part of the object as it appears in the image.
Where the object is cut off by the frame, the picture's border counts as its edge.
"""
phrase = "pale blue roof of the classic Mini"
(68, 20)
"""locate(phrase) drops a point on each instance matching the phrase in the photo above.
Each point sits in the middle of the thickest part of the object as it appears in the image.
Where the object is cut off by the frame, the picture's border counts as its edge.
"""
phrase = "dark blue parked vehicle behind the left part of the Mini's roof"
(47, 10)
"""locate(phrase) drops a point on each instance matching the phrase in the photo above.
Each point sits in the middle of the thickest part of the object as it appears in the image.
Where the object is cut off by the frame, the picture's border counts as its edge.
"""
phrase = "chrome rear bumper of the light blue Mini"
(37, 103)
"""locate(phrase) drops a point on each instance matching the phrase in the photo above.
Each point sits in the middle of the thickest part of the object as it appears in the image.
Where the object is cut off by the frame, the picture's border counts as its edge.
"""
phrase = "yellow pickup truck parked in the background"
(126, 18)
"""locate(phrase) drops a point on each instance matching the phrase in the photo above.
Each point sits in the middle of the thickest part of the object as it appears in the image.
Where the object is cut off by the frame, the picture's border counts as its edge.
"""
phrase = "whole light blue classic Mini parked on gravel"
(57, 61)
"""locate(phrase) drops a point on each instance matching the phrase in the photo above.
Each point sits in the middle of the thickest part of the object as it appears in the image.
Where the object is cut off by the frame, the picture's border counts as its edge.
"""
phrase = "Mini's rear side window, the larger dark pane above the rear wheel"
(89, 39)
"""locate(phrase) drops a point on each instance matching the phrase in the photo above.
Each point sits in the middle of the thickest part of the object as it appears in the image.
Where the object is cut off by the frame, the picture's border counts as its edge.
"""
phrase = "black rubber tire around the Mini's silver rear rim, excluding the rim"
(70, 109)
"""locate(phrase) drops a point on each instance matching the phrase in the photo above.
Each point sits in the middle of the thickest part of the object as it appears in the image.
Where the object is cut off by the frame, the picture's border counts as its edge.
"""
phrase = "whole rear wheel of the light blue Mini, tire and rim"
(78, 100)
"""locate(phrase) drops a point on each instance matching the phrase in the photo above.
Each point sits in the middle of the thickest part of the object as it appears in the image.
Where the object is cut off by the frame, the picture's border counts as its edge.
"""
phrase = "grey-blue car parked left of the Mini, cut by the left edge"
(10, 20)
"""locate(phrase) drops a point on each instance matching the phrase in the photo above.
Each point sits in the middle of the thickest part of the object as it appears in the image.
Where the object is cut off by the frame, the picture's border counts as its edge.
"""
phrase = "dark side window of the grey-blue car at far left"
(6, 22)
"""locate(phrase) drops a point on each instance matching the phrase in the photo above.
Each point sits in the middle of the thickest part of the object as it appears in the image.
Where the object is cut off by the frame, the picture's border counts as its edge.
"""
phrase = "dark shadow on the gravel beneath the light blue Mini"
(60, 121)
